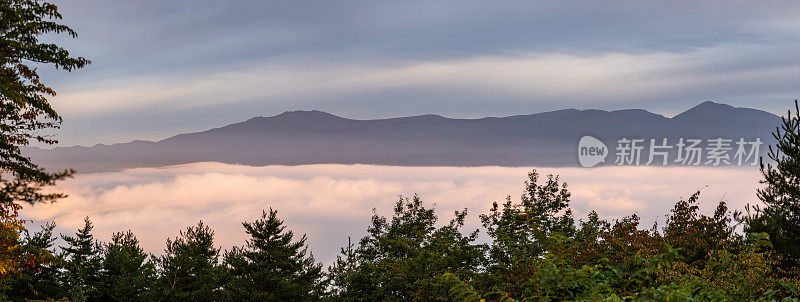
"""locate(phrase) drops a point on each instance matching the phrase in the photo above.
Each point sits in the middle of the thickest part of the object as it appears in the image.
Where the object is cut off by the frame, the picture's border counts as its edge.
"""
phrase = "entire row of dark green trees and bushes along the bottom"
(537, 251)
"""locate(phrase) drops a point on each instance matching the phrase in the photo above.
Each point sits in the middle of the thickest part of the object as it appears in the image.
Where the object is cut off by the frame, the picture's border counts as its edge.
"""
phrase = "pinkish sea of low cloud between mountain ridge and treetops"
(332, 202)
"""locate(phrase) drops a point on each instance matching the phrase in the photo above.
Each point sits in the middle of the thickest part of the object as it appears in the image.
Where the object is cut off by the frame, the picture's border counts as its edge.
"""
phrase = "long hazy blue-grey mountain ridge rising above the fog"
(314, 137)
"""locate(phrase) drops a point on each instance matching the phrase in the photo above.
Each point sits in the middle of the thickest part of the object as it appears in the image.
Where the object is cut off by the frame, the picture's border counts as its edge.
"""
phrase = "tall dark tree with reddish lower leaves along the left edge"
(26, 116)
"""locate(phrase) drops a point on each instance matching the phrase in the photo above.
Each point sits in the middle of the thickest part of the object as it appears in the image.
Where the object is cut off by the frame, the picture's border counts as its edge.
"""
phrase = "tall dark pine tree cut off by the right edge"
(780, 215)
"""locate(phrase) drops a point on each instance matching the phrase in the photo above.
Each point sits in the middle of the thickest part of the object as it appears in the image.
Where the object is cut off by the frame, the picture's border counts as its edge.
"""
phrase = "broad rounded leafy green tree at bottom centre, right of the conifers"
(402, 258)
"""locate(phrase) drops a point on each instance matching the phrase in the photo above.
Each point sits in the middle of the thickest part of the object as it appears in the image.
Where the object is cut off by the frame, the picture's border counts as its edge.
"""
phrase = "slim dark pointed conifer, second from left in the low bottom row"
(82, 263)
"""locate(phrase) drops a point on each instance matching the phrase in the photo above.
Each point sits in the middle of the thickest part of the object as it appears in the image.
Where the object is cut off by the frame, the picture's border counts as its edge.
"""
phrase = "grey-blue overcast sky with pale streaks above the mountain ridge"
(166, 67)
